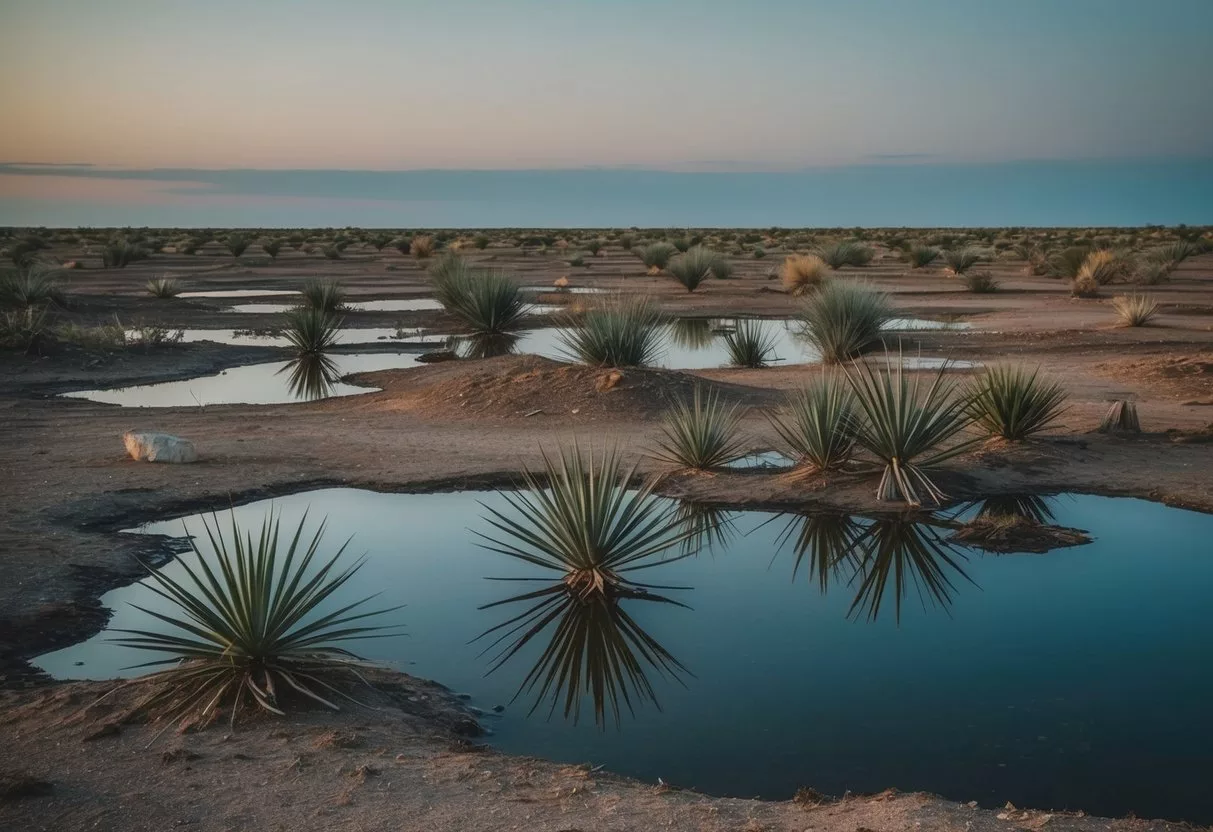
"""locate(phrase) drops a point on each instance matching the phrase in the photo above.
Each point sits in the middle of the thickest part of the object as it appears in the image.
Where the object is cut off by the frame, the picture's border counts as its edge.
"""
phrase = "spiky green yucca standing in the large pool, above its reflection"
(583, 521)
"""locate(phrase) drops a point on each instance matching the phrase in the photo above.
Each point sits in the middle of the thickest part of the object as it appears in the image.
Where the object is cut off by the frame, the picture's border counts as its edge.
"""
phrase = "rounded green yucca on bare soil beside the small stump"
(1013, 403)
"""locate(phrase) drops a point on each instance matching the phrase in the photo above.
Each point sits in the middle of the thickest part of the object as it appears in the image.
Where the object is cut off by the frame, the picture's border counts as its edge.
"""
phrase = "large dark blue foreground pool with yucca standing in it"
(824, 651)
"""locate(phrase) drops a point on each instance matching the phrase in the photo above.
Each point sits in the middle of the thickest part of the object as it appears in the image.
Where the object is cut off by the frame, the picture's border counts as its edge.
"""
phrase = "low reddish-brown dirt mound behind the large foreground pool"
(525, 386)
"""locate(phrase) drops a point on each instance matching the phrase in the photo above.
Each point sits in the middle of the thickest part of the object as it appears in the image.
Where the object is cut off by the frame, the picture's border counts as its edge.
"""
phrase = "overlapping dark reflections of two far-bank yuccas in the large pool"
(879, 559)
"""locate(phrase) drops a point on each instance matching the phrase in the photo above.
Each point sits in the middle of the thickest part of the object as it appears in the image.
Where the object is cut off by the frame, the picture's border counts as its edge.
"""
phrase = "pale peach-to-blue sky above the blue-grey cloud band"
(673, 84)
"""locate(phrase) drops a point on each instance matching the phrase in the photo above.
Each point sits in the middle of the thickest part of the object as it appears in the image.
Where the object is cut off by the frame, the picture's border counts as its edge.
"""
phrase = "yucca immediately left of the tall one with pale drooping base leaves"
(818, 425)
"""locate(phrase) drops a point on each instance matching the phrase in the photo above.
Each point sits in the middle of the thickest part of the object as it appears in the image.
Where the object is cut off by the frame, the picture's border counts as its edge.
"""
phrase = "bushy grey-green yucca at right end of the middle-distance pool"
(844, 320)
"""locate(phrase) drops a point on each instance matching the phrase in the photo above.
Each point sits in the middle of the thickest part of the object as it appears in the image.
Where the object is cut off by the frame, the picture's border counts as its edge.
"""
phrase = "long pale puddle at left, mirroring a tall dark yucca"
(275, 383)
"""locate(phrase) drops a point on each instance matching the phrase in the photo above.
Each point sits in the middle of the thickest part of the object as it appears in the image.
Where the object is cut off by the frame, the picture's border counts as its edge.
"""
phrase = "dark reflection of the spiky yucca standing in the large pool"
(594, 647)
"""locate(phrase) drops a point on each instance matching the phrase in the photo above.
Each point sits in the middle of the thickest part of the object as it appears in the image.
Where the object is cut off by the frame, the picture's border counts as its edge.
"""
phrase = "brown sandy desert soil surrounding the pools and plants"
(455, 425)
